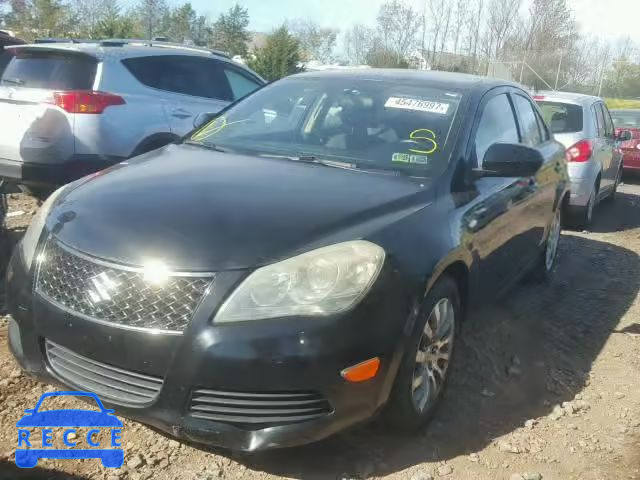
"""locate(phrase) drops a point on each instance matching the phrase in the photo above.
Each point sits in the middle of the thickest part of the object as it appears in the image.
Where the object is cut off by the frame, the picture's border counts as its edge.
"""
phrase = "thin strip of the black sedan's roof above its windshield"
(453, 81)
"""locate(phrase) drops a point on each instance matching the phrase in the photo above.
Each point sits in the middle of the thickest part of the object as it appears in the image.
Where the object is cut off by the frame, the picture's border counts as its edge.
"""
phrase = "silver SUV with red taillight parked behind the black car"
(69, 109)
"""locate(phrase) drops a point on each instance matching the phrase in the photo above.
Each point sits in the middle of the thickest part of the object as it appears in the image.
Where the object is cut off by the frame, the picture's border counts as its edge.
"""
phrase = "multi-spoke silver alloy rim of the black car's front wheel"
(434, 355)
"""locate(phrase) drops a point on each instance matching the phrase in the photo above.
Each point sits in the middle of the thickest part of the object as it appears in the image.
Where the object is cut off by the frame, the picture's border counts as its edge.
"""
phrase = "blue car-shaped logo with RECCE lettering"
(104, 419)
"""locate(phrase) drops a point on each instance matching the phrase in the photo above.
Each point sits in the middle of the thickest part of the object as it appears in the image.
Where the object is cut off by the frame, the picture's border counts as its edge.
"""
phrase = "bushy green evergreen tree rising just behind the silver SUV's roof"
(279, 57)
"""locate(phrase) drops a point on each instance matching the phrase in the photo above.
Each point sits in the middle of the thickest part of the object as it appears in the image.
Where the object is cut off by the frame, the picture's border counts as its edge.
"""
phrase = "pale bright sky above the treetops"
(608, 18)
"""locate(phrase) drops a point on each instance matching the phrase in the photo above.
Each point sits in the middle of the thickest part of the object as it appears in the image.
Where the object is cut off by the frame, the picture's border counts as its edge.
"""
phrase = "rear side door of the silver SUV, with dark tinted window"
(190, 85)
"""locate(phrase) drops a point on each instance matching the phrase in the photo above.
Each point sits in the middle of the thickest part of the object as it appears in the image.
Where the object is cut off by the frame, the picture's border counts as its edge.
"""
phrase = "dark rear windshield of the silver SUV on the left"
(50, 70)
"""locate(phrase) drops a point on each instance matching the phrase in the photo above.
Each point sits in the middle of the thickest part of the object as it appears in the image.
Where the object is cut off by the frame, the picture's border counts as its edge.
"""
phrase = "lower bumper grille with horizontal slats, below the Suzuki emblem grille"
(109, 382)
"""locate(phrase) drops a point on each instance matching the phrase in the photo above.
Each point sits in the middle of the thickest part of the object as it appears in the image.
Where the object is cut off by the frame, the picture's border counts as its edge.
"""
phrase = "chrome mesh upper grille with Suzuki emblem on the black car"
(115, 295)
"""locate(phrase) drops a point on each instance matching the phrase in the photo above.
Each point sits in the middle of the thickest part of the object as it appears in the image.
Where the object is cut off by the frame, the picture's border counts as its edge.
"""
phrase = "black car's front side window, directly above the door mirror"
(497, 124)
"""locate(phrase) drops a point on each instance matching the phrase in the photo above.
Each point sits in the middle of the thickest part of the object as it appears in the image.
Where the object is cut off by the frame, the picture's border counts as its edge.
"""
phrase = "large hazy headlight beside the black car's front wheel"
(317, 283)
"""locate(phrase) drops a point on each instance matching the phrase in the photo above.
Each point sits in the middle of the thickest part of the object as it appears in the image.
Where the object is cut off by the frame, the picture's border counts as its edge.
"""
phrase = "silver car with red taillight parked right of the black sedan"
(583, 125)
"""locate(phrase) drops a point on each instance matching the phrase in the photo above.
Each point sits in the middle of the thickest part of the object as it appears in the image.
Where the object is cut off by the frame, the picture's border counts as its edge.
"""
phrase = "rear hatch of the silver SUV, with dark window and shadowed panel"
(36, 131)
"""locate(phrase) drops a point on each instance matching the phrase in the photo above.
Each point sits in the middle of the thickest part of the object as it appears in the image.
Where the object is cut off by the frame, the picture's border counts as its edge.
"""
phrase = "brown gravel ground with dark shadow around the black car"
(545, 386)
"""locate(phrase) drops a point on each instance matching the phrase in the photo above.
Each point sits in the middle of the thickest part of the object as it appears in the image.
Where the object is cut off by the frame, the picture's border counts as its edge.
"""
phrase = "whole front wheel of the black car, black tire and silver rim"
(422, 376)
